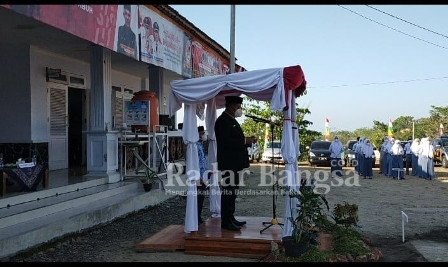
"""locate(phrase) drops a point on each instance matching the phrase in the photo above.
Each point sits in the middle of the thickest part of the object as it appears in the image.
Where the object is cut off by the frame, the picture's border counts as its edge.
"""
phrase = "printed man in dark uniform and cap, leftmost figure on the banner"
(126, 43)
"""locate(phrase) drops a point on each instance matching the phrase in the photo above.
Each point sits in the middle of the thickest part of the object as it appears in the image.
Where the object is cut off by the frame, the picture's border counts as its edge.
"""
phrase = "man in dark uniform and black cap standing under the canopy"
(232, 157)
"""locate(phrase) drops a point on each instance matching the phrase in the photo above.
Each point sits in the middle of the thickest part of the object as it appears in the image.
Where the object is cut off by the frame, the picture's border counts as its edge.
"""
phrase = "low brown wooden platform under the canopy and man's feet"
(211, 240)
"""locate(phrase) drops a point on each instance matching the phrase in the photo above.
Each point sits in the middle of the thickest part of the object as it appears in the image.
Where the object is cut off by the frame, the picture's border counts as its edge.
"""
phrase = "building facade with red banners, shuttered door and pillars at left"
(67, 71)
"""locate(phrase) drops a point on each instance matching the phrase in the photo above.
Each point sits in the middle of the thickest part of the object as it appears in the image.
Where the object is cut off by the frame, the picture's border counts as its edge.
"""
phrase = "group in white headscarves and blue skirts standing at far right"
(419, 157)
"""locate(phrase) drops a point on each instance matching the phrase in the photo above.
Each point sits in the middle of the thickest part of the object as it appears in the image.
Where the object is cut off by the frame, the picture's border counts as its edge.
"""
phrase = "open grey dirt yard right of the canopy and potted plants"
(383, 202)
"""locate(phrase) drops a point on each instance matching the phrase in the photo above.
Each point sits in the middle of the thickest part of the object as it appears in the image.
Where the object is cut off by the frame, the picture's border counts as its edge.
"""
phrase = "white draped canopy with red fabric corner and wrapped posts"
(279, 86)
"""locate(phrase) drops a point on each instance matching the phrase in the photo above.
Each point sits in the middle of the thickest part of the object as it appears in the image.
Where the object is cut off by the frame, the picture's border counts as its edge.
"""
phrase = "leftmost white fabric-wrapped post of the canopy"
(190, 136)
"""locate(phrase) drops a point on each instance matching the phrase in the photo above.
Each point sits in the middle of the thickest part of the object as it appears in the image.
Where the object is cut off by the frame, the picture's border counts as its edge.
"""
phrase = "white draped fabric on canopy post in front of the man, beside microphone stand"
(289, 153)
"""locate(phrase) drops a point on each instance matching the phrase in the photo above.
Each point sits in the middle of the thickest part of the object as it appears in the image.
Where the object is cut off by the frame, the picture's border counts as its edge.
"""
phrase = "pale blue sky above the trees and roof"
(358, 69)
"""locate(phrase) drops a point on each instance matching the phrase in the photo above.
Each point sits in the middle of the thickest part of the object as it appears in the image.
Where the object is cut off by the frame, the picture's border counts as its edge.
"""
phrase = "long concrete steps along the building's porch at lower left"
(31, 219)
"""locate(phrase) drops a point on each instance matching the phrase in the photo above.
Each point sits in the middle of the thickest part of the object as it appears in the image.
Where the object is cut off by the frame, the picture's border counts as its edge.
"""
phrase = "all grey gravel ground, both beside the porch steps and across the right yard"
(382, 202)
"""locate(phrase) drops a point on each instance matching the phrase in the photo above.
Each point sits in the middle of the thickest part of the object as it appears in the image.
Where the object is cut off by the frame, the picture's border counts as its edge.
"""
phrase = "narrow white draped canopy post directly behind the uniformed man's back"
(215, 192)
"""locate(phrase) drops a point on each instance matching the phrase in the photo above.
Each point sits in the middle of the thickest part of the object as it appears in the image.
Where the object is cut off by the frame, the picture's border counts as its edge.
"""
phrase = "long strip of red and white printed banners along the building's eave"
(117, 28)
